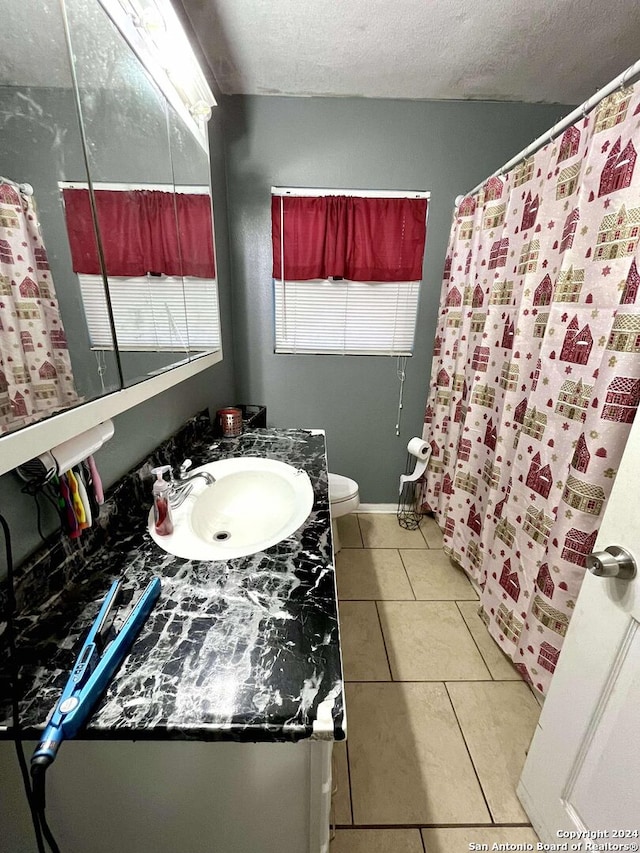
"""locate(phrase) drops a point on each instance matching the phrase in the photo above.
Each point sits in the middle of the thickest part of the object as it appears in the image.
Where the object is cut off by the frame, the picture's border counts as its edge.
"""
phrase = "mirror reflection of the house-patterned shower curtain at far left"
(35, 368)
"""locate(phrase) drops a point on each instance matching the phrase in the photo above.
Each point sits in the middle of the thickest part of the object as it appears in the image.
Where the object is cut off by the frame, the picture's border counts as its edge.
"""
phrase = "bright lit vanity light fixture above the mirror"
(156, 35)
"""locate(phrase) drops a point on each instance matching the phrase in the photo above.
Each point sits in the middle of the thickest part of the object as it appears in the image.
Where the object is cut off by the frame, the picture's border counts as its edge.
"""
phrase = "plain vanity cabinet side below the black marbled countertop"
(175, 797)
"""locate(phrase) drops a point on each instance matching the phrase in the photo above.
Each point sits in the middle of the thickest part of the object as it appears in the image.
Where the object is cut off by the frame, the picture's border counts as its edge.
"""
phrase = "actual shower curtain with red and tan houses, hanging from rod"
(536, 375)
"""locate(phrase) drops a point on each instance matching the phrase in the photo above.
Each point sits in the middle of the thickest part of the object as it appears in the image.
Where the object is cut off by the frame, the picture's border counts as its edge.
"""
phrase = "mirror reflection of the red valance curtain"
(142, 231)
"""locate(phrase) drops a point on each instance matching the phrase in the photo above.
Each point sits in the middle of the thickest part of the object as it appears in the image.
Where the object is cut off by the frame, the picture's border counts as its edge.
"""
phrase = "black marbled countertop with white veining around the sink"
(241, 650)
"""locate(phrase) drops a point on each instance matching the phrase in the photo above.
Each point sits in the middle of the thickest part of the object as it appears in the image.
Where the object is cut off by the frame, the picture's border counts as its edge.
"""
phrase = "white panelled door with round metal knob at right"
(582, 773)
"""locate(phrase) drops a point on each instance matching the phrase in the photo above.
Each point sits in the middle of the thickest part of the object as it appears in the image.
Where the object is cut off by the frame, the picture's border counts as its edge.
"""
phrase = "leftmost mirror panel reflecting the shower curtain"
(46, 361)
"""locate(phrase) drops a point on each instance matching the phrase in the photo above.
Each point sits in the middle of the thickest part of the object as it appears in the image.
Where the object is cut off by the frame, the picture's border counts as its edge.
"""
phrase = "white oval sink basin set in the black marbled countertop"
(254, 504)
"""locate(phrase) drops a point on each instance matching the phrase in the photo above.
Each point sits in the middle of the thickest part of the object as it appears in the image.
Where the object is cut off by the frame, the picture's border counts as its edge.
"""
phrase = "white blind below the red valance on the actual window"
(345, 317)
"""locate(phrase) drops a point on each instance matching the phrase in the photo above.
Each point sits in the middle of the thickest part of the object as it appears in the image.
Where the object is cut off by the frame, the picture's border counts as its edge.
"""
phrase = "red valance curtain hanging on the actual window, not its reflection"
(360, 239)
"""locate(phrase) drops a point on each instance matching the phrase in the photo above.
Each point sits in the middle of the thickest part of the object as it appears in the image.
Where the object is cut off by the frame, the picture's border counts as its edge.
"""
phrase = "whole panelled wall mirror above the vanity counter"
(88, 126)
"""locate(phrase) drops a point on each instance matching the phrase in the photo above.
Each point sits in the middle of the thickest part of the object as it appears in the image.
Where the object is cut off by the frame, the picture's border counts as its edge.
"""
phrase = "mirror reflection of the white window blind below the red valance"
(153, 313)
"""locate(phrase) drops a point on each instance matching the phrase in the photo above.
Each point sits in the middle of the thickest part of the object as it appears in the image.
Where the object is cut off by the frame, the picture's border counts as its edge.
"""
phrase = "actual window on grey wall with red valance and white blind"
(352, 269)
